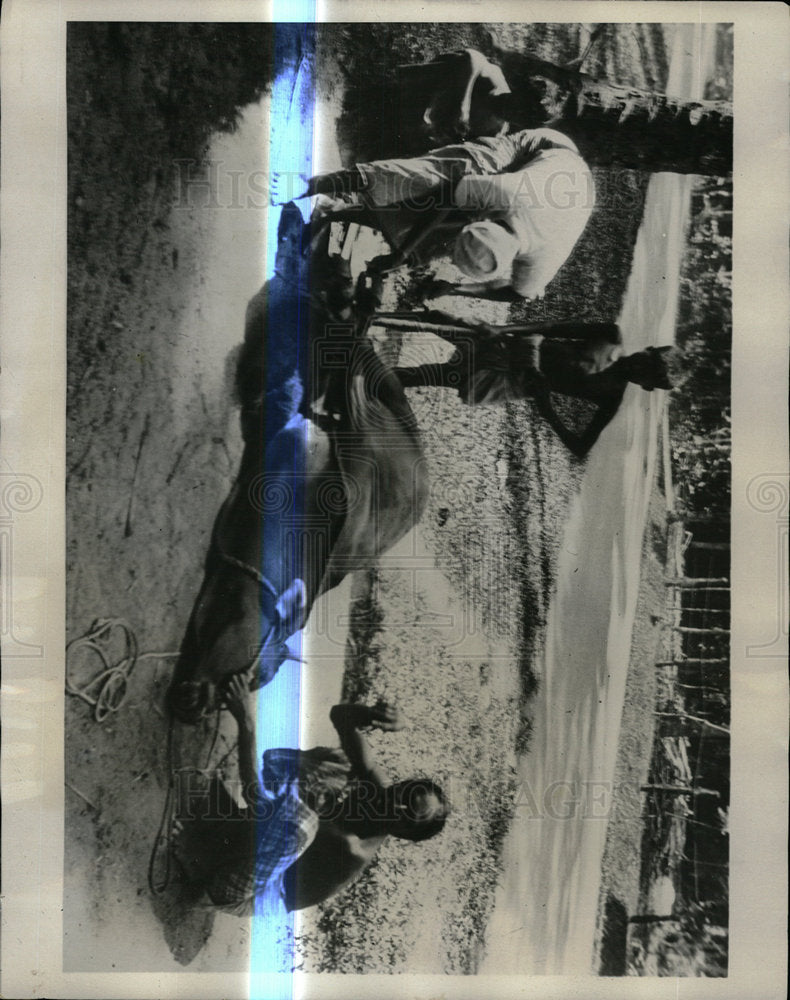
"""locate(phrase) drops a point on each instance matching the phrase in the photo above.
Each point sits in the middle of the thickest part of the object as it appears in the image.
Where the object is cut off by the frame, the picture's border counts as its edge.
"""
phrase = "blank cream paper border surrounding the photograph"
(33, 296)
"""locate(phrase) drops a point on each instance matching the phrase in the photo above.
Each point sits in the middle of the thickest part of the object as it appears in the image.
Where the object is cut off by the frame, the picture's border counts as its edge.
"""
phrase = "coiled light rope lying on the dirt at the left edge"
(106, 691)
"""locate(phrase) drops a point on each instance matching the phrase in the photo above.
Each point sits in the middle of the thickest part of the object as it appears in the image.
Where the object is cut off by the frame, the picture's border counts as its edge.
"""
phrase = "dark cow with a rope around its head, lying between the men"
(331, 474)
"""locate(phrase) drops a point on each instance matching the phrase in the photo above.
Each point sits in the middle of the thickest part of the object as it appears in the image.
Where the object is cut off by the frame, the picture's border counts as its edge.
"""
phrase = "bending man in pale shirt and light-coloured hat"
(529, 196)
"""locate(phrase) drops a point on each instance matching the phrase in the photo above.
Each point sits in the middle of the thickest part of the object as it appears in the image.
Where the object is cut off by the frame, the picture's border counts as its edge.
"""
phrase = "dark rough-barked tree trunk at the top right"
(616, 126)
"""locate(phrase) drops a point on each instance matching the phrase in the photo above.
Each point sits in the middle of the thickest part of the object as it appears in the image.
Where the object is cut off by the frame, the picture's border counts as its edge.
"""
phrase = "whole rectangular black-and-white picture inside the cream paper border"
(398, 555)
